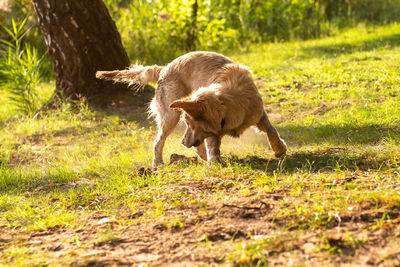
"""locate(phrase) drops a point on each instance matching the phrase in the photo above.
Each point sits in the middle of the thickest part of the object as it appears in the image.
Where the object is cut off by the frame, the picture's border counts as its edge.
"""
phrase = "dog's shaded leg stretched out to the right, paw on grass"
(278, 145)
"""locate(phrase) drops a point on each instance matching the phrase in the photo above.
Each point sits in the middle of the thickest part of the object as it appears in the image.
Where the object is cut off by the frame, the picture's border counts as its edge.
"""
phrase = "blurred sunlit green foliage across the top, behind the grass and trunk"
(159, 30)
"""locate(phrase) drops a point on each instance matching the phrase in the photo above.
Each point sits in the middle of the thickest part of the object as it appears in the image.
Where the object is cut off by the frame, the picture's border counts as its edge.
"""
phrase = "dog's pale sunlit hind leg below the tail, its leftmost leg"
(166, 124)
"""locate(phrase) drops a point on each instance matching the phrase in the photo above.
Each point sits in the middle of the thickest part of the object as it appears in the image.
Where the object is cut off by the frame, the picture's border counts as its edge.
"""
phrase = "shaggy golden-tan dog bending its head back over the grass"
(216, 96)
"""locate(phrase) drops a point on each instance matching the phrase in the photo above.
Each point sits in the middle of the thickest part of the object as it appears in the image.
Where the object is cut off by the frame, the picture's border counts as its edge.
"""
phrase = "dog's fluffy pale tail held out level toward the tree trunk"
(136, 75)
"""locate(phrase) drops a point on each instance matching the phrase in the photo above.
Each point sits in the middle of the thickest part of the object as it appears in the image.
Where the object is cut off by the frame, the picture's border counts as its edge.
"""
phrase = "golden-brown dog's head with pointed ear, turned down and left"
(203, 116)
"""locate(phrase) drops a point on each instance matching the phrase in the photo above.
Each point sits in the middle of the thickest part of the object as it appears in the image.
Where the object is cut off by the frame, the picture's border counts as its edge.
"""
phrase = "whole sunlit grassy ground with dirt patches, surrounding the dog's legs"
(75, 187)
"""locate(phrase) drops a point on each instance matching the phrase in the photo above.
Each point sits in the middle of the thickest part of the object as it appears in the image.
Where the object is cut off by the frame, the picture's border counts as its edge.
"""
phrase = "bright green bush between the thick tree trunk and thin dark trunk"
(153, 31)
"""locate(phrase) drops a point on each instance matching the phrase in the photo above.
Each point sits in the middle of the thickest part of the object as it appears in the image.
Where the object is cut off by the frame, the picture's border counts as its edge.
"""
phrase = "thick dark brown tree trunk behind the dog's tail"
(81, 38)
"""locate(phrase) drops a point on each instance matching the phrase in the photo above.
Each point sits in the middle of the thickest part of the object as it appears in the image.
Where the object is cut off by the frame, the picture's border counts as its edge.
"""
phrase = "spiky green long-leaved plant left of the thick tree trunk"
(20, 67)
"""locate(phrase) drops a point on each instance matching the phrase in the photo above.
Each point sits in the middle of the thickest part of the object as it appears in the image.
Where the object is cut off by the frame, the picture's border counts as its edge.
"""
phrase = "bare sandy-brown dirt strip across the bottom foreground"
(192, 236)
